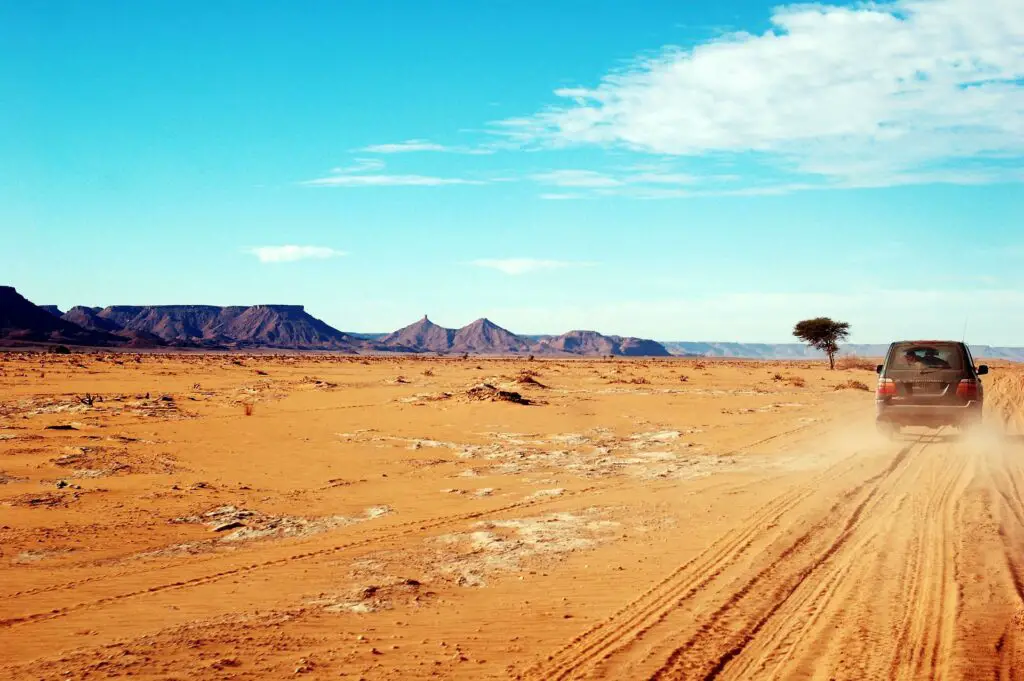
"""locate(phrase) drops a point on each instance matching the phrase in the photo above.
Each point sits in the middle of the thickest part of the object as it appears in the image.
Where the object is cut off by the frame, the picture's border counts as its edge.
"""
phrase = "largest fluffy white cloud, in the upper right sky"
(877, 94)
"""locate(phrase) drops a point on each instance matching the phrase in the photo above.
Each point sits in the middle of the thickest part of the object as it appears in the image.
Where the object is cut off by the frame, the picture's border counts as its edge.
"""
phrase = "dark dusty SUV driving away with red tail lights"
(929, 384)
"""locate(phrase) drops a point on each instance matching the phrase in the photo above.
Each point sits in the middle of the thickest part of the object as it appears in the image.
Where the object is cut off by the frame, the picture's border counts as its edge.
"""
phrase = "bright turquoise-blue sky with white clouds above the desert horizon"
(708, 172)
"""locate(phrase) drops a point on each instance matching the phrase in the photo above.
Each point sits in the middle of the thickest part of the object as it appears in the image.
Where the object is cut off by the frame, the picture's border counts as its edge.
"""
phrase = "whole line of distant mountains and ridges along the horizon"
(291, 328)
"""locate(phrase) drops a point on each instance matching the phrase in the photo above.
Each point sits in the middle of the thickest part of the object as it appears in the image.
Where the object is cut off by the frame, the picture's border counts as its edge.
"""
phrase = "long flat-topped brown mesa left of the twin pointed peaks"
(286, 327)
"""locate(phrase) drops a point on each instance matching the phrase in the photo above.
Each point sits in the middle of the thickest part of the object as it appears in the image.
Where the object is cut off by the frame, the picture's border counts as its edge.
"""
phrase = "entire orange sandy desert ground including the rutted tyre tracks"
(229, 518)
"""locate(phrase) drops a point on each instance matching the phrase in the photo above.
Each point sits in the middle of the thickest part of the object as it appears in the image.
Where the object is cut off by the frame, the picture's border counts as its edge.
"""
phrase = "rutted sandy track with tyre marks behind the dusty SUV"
(909, 569)
